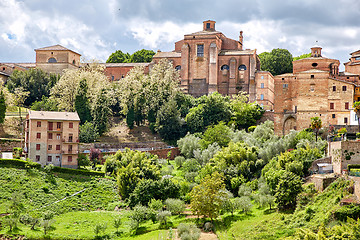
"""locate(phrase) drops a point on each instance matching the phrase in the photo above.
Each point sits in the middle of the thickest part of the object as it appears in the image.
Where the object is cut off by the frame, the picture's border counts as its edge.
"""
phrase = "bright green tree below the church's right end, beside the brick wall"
(245, 114)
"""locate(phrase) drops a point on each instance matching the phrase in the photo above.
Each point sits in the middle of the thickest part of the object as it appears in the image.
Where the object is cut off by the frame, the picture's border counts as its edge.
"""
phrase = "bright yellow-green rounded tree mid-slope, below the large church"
(219, 134)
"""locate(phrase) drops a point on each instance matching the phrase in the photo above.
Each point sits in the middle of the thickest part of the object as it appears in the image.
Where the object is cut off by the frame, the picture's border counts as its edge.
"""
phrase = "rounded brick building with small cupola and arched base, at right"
(314, 89)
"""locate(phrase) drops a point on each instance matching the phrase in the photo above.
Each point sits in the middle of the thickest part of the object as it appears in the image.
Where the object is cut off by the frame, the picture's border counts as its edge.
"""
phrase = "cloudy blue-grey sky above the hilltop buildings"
(96, 28)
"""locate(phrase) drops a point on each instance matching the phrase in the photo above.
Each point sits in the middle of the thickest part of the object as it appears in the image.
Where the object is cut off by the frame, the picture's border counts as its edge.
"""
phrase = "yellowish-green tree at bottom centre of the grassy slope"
(206, 198)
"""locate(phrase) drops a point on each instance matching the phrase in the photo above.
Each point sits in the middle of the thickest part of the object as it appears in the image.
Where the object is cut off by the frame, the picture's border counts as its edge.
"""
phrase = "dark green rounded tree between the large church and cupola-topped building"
(278, 61)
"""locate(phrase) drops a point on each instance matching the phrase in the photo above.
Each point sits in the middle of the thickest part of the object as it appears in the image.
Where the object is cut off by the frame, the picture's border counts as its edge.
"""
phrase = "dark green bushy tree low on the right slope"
(287, 189)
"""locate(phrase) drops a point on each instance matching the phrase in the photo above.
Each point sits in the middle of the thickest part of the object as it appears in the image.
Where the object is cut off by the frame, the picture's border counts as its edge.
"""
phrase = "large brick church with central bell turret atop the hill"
(208, 61)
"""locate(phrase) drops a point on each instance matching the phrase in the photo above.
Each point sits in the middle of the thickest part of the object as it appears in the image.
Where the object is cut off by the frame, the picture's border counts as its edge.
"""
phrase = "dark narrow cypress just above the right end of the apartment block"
(82, 105)
